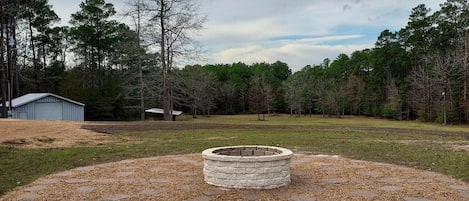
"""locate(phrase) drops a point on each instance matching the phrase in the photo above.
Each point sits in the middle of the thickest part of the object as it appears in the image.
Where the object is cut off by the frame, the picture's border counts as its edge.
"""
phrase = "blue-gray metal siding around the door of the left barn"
(70, 111)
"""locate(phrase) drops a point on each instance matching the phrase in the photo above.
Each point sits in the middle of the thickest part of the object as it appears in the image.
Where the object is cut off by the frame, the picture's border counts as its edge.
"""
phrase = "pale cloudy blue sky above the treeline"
(297, 32)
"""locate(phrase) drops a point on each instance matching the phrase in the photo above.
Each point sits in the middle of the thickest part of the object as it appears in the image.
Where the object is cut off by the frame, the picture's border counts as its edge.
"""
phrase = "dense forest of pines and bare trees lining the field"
(418, 72)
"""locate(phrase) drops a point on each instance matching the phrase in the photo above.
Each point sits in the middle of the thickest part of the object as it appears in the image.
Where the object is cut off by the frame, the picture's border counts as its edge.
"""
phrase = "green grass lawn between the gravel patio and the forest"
(412, 149)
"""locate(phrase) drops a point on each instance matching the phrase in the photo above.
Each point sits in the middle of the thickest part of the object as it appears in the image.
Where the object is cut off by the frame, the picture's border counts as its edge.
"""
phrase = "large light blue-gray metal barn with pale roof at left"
(47, 106)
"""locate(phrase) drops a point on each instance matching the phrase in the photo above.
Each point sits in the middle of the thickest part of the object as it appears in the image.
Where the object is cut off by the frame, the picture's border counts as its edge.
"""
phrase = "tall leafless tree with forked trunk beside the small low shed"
(171, 25)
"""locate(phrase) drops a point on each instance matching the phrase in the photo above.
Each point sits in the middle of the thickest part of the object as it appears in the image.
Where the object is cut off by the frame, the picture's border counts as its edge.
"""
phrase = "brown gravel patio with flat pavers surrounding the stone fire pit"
(181, 178)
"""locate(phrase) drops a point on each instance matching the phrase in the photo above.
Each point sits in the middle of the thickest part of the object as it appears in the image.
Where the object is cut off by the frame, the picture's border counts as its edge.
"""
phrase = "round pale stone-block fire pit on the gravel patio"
(250, 167)
